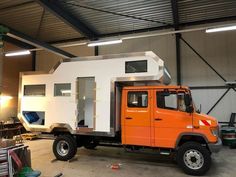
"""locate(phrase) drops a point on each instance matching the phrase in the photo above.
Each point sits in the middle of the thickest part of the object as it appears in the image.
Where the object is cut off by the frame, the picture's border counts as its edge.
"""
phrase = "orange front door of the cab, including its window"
(169, 117)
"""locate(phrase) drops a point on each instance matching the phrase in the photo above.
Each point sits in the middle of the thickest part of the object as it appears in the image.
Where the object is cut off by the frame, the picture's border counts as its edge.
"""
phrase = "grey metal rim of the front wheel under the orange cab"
(193, 159)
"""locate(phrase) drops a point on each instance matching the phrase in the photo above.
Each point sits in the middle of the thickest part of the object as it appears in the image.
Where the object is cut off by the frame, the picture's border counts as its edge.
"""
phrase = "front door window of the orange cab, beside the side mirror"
(171, 100)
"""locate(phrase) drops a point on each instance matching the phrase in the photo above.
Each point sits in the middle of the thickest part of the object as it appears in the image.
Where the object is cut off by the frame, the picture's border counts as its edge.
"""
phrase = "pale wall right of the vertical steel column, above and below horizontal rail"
(219, 51)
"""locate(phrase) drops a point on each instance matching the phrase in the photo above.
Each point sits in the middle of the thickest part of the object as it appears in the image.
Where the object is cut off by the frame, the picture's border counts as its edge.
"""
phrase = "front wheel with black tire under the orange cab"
(193, 158)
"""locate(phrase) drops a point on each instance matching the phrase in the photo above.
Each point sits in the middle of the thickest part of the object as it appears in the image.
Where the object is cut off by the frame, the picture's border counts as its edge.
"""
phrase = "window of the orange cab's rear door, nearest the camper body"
(137, 99)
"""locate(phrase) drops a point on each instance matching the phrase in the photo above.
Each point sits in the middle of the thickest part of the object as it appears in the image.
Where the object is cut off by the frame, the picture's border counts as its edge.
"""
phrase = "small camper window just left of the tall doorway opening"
(62, 89)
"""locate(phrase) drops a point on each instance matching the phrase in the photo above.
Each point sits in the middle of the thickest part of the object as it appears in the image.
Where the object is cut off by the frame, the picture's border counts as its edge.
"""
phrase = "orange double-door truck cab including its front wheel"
(164, 117)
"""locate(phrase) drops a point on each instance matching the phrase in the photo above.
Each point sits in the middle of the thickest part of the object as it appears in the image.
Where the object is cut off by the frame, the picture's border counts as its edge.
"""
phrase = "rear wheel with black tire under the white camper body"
(64, 147)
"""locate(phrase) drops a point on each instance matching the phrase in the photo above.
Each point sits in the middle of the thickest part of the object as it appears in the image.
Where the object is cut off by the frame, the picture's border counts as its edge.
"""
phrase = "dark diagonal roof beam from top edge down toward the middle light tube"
(68, 18)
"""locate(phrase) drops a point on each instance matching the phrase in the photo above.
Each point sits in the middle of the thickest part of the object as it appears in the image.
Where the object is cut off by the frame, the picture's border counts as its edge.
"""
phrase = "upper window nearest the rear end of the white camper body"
(34, 90)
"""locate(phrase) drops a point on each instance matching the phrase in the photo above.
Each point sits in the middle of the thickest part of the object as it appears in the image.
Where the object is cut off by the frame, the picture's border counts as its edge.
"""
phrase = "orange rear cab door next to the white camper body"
(136, 117)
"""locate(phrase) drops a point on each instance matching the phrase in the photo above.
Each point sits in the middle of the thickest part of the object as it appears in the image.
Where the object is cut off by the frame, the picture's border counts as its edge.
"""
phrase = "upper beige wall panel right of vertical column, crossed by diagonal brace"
(219, 51)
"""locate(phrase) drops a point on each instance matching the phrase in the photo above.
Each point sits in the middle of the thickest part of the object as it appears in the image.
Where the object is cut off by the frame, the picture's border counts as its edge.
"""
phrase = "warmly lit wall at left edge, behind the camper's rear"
(9, 80)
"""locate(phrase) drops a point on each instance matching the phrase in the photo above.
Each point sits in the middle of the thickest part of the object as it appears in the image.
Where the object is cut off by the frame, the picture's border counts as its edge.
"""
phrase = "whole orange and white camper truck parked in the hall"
(121, 99)
